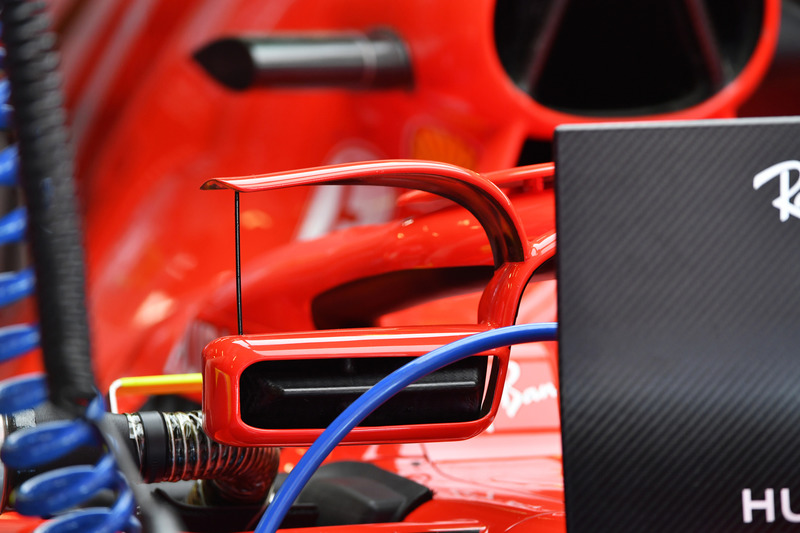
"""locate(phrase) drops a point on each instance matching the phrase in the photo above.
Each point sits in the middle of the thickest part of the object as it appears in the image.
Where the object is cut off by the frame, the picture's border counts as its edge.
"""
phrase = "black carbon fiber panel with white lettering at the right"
(679, 320)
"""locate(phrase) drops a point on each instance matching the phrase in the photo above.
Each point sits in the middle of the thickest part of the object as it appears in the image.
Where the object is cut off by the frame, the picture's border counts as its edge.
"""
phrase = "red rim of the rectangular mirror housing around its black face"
(225, 359)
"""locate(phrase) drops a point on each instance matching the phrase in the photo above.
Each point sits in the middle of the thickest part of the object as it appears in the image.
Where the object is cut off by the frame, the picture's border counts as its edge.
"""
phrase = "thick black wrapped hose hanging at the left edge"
(48, 186)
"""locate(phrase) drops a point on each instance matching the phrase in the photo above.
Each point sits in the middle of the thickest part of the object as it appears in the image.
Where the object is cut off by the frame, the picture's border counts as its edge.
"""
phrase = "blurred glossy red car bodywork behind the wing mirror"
(150, 127)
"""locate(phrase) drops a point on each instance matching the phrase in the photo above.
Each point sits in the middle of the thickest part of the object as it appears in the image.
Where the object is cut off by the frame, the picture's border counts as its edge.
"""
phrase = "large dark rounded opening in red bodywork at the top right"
(625, 57)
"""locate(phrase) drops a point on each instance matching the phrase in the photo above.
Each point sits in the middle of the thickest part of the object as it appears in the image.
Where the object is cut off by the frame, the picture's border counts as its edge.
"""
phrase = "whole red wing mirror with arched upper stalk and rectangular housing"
(284, 389)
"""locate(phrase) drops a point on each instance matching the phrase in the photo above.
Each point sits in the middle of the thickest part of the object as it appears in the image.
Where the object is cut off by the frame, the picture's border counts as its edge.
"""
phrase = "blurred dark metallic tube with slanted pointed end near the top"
(378, 60)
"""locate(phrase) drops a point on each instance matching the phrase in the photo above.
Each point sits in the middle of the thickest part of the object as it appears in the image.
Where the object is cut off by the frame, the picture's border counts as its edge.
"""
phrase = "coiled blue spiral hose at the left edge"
(56, 491)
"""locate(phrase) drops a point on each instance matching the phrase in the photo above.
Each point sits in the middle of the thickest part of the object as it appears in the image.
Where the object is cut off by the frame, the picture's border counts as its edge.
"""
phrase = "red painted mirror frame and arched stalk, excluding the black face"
(225, 359)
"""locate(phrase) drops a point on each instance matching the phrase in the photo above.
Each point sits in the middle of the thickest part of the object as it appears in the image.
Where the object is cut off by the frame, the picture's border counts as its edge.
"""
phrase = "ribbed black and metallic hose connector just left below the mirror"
(236, 474)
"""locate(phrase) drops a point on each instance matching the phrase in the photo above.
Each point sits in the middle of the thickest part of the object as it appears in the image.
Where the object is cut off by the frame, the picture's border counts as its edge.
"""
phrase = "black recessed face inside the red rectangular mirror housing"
(311, 393)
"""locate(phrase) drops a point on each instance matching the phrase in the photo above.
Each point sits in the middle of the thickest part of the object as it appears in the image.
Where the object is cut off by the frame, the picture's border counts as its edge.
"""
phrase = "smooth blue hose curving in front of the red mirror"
(381, 392)
